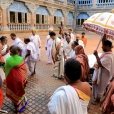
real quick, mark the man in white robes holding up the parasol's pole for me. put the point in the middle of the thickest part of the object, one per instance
(104, 70)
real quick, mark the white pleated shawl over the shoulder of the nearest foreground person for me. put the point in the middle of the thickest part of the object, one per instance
(65, 100)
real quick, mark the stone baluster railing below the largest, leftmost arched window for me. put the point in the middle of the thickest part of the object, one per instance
(19, 26)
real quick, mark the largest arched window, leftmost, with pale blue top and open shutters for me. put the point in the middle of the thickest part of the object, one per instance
(18, 13)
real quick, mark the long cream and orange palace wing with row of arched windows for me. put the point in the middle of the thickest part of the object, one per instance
(24, 15)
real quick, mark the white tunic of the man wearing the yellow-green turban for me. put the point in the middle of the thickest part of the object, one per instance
(36, 40)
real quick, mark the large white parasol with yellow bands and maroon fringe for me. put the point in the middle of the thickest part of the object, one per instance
(101, 23)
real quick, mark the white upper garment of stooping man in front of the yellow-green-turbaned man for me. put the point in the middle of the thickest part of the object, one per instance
(33, 55)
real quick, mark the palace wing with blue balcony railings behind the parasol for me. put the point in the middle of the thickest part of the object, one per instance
(86, 8)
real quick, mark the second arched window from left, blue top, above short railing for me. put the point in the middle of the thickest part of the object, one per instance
(42, 15)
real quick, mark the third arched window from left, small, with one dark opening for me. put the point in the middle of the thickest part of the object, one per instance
(58, 17)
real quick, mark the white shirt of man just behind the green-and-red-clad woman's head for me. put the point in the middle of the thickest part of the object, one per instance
(19, 43)
